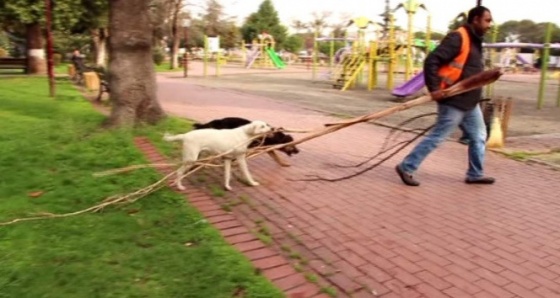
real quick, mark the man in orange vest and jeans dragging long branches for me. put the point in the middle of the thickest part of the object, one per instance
(458, 57)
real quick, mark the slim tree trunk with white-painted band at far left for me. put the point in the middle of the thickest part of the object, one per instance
(36, 62)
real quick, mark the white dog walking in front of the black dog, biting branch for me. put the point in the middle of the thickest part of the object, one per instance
(232, 143)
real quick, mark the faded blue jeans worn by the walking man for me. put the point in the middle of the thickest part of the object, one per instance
(449, 118)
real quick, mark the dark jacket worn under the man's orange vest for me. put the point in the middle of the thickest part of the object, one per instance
(447, 50)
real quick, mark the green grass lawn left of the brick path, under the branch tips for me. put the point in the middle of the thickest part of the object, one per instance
(158, 246)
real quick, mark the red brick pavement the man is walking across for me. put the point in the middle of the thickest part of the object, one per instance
(372, 236)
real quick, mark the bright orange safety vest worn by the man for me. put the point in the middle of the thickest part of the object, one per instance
(451, 73)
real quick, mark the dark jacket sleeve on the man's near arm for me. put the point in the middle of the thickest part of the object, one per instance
(447, 50)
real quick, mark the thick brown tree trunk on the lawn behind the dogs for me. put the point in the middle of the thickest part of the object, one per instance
(131, 69)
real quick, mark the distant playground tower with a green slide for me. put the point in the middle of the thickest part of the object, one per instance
(263, 54)
